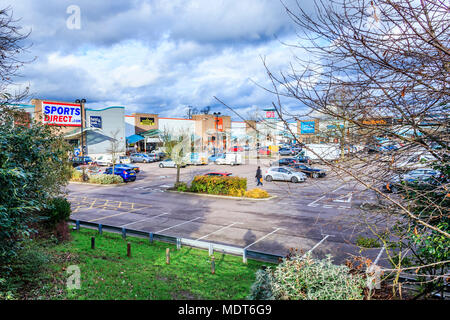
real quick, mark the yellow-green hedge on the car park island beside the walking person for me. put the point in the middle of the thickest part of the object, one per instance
(218, 185)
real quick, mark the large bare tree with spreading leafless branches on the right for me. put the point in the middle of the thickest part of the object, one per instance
(381, 69)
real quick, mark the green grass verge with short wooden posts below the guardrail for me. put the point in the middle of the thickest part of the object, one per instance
(107, 272)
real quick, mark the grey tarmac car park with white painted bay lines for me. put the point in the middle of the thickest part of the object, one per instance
(319, 213)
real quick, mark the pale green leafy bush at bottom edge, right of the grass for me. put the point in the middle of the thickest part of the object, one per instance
(308, 279)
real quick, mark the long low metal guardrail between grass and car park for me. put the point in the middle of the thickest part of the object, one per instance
(211, 246)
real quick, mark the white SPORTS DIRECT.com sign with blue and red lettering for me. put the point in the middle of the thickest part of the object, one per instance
(61, 114)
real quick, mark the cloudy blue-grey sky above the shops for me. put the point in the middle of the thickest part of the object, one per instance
(155, 55)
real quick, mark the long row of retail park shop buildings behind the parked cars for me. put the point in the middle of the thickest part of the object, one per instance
(97, 129)
